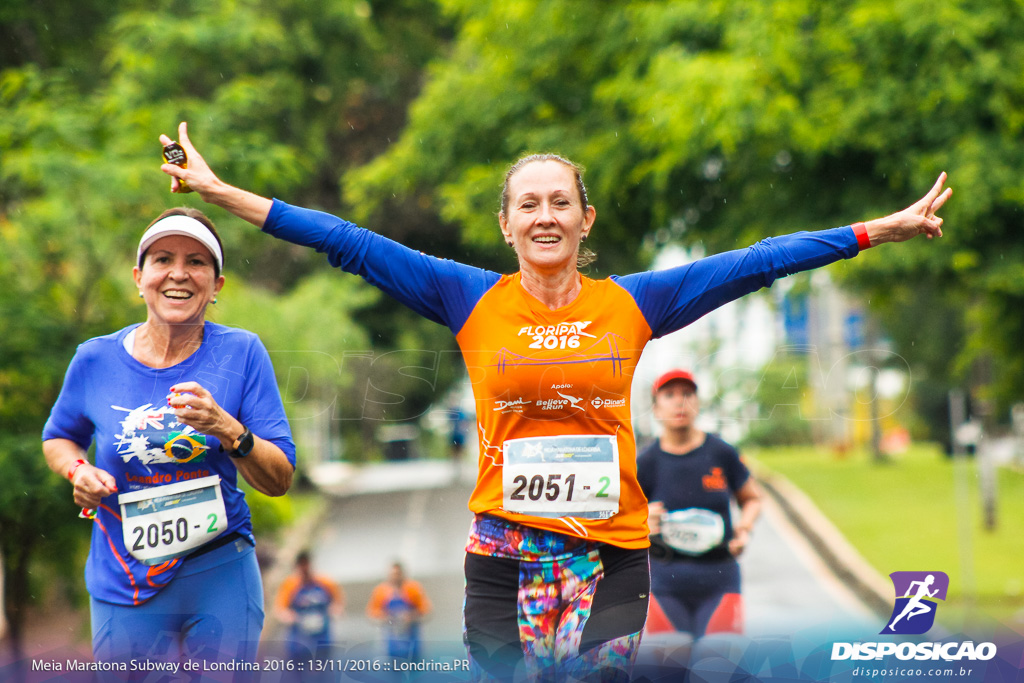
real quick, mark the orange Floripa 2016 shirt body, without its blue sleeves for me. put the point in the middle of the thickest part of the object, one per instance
(544, 373)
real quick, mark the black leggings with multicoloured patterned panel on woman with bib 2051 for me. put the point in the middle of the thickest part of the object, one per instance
(575, 616)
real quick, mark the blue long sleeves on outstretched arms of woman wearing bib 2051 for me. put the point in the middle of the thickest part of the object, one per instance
(446, 292)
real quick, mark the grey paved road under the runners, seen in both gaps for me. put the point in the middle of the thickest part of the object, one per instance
(416, 514)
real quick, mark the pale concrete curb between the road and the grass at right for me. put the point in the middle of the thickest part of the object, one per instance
(839, 556)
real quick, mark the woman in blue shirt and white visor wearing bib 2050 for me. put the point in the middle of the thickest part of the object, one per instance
(177, 407)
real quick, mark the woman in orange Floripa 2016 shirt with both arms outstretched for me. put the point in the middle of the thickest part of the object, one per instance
(557, 566)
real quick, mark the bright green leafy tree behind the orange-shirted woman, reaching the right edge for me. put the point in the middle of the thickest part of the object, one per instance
(724, 122)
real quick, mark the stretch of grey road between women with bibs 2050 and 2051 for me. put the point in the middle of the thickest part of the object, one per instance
(411, 513)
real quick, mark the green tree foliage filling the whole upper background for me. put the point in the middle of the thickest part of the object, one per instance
(700, 121)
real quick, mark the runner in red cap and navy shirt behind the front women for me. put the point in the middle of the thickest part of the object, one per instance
(691, 479)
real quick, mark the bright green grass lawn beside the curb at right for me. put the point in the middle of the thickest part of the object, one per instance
(922, 513)
